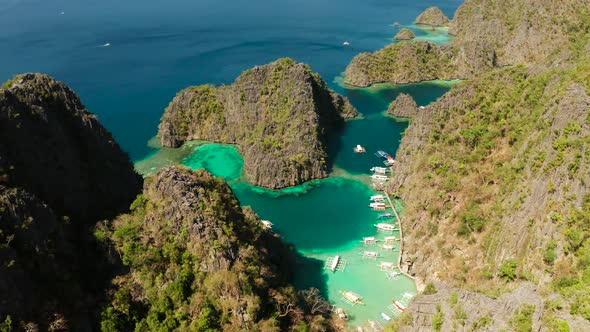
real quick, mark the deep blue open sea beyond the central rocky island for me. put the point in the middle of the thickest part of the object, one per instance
(159, 47)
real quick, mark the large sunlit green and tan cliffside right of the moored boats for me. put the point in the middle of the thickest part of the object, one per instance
(500, 166)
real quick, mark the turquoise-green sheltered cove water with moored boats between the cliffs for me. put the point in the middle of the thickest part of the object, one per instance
(327, 217)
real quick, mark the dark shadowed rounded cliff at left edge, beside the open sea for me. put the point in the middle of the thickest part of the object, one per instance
(54, 148)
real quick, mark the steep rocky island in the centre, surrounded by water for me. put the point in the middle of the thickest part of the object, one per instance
(279, 114)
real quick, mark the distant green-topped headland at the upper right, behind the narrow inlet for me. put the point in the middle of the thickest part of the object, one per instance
(488, 34)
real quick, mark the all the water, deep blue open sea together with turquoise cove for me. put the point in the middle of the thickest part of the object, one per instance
(127, 60)
